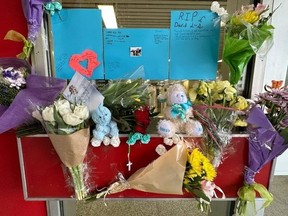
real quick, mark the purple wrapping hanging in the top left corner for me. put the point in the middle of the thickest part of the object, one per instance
(33, 12)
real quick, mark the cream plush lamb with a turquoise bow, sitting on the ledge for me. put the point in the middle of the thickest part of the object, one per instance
(178, 115)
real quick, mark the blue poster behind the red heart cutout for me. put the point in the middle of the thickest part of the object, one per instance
(74, 31)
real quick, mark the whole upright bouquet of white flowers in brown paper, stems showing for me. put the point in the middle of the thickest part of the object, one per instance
(67, 125)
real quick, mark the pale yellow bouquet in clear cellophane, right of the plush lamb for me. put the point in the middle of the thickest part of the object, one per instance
(218, 107)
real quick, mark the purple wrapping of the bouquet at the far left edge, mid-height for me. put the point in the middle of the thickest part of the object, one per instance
(39, 91)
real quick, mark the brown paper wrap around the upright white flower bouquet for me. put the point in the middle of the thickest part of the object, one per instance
(71, 148)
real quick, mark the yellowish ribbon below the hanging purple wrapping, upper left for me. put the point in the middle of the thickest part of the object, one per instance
(18, 37)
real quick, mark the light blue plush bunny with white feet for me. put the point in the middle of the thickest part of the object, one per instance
(106, 130)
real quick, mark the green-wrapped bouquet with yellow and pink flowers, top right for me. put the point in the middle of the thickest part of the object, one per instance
(247, 33)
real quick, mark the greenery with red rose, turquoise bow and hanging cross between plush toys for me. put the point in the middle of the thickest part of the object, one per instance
(128, 101)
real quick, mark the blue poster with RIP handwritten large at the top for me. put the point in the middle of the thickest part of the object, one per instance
(194, 45)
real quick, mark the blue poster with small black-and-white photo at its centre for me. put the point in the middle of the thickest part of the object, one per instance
(125, 50)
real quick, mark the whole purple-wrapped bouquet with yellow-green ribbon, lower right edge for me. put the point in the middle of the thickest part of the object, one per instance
(268, 138)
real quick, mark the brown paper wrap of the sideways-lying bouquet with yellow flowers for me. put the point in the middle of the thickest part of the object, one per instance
(164, 175)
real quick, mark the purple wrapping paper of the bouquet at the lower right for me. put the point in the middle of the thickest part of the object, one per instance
(265, 143)
